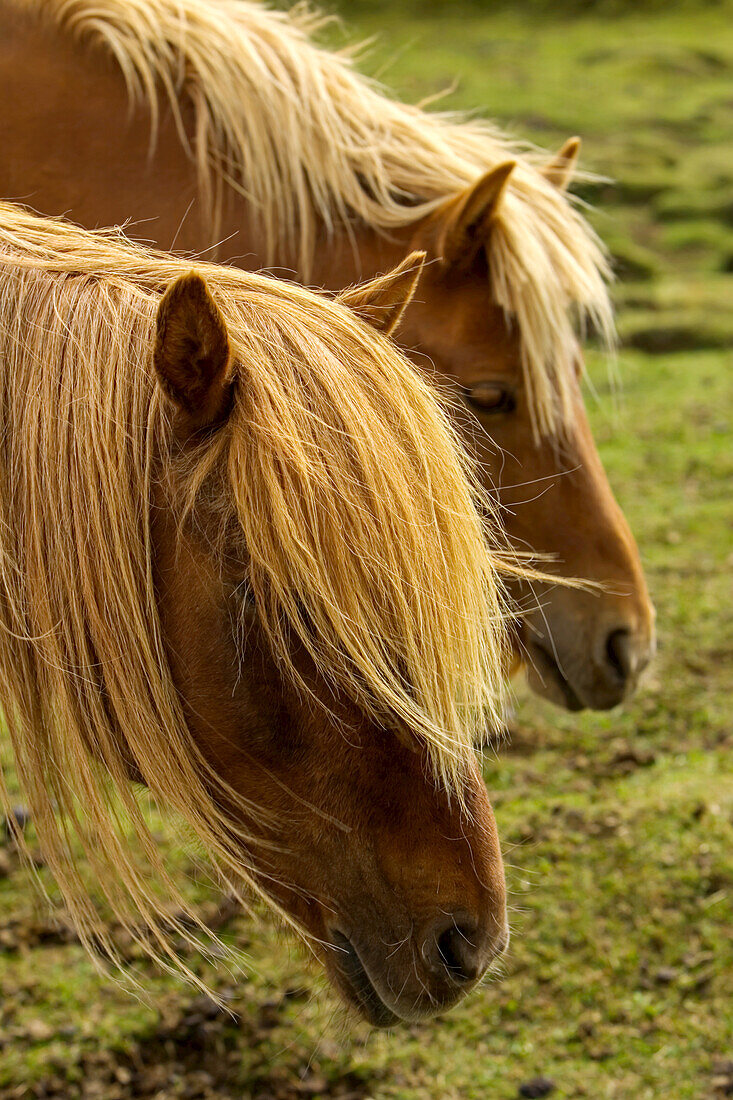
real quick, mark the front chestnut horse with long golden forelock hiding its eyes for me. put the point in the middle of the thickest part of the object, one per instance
(245, 570)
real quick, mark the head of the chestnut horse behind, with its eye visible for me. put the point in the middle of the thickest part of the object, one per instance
(494, 315)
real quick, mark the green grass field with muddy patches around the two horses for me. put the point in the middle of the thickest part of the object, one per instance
(619, 828)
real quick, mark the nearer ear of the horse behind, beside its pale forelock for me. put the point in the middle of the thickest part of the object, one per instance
(465, 224)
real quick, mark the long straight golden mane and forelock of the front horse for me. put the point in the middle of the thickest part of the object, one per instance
(355, 505)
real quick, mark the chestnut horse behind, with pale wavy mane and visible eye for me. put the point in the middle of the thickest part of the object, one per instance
(221, 124)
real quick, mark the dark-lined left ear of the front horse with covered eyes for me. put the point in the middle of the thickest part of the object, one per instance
(192, 353)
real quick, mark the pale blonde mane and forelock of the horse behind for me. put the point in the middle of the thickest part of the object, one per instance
(312, 144)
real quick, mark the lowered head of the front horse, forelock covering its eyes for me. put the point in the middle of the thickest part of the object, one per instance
(393, 871)
